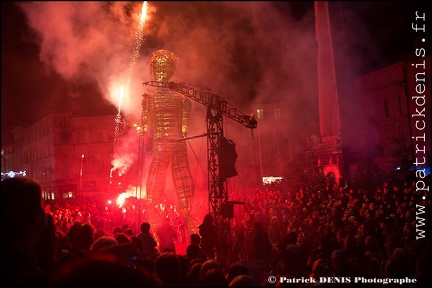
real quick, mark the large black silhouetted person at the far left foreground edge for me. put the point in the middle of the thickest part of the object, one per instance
(24, 221)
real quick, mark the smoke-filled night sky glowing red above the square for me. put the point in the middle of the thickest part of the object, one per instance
(73, 56)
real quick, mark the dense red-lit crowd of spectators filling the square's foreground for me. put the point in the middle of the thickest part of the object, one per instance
(303, 238)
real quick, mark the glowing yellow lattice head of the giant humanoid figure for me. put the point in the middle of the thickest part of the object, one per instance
(162, 65)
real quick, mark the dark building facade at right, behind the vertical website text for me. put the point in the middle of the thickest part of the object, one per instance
(396, 105)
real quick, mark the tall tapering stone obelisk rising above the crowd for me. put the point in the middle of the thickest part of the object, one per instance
(339, 114)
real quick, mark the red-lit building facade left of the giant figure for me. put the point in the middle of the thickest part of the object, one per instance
(70, 156)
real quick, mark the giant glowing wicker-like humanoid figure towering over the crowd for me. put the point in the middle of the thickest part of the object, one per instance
(168, 113)
